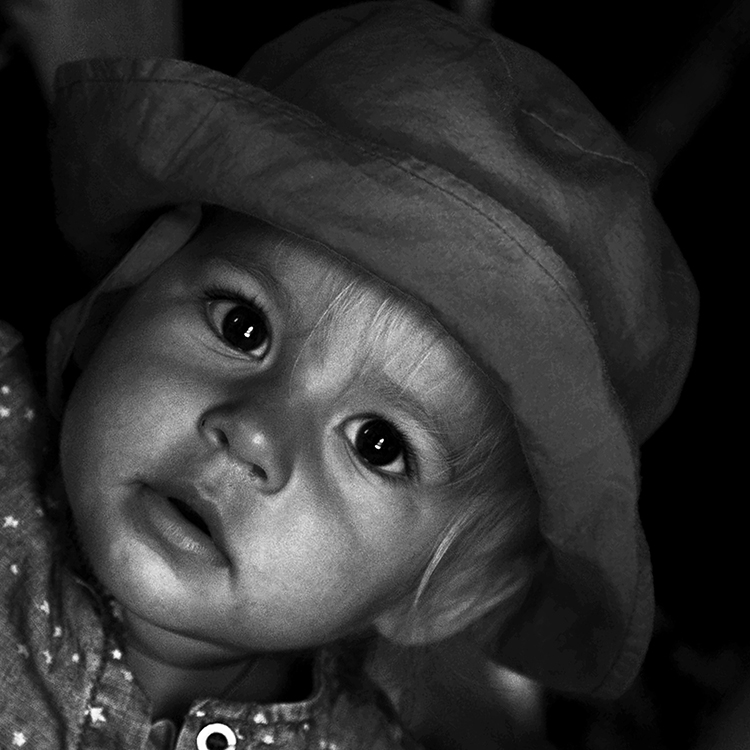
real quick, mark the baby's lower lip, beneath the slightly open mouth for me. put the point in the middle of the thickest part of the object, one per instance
(156, 515)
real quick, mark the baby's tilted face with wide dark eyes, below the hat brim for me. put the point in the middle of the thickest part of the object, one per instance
(252, 464)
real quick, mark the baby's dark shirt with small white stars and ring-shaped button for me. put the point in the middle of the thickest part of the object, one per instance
(63, 679)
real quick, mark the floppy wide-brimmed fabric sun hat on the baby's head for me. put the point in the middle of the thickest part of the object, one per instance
(470, 173)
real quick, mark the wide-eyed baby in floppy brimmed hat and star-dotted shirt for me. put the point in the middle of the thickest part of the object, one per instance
(387, 384)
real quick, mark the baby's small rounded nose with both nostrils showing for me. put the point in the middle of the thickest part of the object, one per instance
(260, 439)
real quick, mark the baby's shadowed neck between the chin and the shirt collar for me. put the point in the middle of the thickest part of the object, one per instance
(174, 671)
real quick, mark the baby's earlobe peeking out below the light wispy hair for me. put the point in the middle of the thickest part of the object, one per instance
(409, 624)
